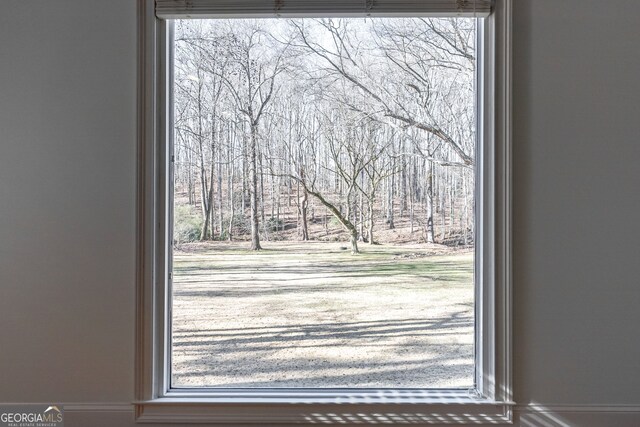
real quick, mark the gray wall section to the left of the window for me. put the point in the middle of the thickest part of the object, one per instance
(67, 200)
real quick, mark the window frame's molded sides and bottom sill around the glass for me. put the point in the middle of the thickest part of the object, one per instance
(491, 400)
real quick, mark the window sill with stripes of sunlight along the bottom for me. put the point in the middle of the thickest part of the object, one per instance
(387, 407)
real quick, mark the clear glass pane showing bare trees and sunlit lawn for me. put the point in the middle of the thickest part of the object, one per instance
(323, 203)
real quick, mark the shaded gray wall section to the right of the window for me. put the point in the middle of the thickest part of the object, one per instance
(576, 201)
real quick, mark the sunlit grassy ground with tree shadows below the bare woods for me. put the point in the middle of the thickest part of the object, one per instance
(310, 314)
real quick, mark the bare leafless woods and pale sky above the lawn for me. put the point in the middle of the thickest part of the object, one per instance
(287, 125)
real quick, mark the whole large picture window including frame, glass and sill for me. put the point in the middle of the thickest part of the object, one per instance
(324, 212)
